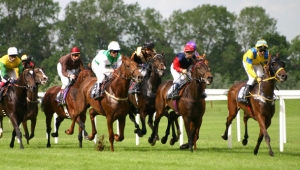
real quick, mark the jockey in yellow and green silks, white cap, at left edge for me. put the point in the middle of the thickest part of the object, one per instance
(8, 63)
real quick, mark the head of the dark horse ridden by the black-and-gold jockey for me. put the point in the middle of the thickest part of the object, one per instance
(157, 64)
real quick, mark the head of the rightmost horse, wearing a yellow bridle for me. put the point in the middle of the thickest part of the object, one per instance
(275, 67)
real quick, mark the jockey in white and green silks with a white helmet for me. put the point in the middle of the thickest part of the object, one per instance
(104, 63)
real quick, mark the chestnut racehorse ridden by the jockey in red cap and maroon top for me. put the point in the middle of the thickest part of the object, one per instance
(49, 106)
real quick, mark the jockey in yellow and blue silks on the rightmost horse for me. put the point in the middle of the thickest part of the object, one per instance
(253, 61)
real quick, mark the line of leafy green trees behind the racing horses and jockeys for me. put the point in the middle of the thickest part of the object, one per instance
(34, 27)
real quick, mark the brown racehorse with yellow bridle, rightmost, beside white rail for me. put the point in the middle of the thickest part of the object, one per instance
(261, 102)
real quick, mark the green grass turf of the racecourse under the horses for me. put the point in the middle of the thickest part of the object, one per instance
(212, 152)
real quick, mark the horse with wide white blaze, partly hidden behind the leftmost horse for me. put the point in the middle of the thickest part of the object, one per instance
(32, 103)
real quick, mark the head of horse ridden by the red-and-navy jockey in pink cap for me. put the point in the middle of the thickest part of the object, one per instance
(201, 72)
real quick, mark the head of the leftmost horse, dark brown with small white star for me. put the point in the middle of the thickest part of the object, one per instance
(28, 79)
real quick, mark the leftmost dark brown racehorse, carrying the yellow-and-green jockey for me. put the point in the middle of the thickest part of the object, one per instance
(14, 103)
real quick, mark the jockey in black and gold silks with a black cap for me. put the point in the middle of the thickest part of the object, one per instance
(141, 56)
